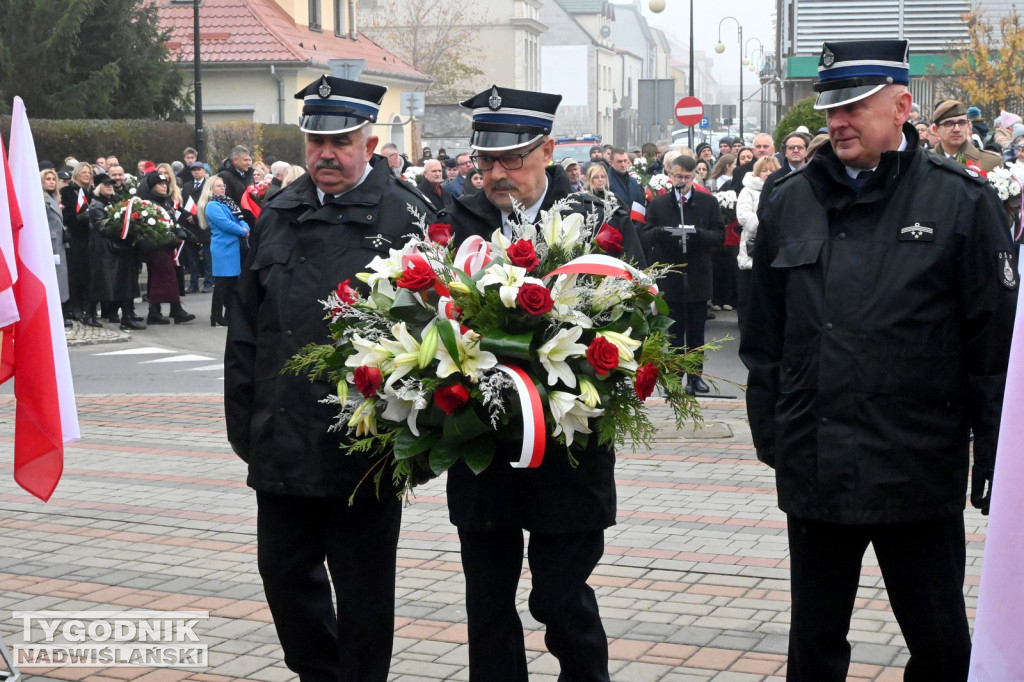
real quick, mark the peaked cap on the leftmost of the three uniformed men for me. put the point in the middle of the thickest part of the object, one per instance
(332, 106)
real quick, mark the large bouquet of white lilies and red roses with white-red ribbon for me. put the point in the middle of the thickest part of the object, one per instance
(544, 333)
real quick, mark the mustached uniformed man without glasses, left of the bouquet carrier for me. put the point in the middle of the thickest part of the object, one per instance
(315, 234)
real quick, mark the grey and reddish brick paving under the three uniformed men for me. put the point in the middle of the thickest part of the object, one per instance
(153, 513)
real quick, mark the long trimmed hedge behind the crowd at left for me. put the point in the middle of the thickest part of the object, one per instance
(132, 141)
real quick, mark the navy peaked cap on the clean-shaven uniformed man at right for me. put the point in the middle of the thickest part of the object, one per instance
(854, 70)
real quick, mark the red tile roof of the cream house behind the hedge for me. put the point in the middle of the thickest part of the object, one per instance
(260, 31)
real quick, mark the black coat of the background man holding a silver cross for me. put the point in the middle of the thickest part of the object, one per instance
(703, 212)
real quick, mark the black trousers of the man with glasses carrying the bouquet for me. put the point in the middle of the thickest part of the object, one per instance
(562, 601)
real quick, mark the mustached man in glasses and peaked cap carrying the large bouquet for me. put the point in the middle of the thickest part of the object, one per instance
(565, 509)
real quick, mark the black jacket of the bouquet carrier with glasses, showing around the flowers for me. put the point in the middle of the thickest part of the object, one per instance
(554, 497)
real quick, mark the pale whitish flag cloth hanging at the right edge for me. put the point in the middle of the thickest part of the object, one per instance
(999, 638)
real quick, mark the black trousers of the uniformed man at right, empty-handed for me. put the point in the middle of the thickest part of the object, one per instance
(923, 566)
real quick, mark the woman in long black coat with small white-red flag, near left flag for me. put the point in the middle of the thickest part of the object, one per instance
(75, 199)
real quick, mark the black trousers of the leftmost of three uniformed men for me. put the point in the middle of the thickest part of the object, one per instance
(295, 536)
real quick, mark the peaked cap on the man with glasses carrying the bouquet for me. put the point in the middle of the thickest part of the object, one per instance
(505, 119)
